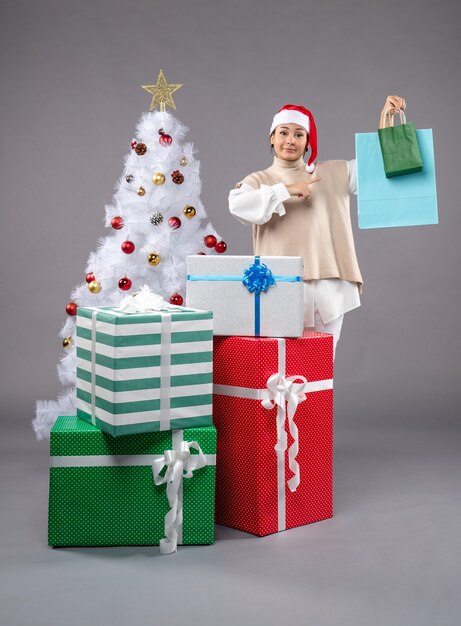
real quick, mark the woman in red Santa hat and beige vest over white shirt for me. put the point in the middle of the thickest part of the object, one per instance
(303, 210)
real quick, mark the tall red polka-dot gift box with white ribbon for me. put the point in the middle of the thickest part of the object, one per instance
(273, 411)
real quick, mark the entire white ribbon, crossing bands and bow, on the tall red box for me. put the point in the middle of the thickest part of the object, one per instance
(286, 394)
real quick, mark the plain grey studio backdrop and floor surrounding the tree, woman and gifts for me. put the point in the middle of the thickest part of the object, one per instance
(70, 101)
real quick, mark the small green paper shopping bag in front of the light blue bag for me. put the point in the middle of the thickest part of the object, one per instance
(399, 148)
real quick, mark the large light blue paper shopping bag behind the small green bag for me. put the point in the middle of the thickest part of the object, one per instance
(409, 200)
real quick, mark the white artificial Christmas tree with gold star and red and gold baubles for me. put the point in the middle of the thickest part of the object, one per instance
(155, 221)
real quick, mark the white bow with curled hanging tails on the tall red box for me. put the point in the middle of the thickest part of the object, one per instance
(286, 394)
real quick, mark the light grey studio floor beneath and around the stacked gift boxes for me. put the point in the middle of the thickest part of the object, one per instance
(389, 557)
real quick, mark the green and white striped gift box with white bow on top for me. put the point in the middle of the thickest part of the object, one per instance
(144, 372)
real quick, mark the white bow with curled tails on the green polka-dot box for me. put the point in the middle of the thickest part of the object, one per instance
(179, 464)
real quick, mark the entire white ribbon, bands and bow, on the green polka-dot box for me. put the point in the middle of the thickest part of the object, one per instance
(180, 463)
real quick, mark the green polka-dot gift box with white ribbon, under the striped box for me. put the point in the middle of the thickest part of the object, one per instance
(134, 490)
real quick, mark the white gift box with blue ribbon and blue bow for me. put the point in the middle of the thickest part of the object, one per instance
(255, 296)
